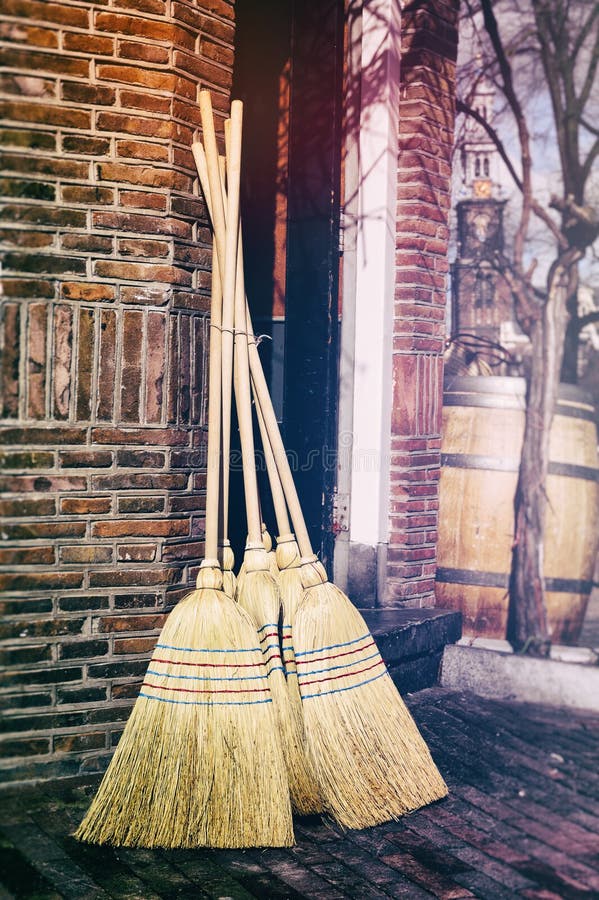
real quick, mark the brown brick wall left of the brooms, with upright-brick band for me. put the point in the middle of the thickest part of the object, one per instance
(105, 293)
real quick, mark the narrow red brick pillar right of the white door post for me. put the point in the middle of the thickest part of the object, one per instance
(429, 39)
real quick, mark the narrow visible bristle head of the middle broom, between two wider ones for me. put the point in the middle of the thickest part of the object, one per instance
(258, 594)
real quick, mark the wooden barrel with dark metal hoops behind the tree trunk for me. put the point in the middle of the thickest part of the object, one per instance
(483, 426)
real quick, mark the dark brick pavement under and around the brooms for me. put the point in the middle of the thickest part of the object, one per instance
(522, 820)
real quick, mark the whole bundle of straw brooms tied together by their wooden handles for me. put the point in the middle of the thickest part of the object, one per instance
(240, 718)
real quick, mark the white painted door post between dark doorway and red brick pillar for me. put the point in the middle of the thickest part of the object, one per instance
(368, 278)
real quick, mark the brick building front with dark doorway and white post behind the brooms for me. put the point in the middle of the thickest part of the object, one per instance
(106, 273)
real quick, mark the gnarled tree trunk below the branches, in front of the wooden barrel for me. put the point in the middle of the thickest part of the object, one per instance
(527, 625)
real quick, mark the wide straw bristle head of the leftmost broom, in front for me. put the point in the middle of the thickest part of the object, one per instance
(199, 763)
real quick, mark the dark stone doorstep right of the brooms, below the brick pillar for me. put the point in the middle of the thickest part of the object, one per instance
(411, 642)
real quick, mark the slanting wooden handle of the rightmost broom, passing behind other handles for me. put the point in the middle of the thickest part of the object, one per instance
(259, 382)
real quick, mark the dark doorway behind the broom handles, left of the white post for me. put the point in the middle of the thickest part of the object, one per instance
(289, 73)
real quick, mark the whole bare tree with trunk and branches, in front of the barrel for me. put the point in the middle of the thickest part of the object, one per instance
(555, 43)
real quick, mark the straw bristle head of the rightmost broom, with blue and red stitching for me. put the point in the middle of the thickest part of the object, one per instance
(371, 762)
